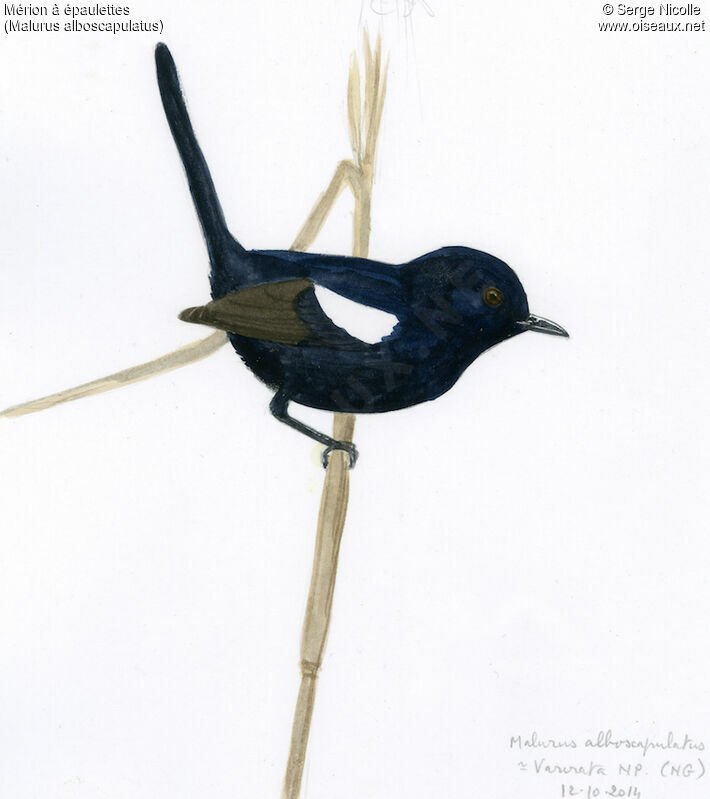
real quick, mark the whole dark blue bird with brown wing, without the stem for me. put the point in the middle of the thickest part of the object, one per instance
(450, 306)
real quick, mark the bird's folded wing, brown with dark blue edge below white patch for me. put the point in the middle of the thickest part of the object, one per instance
(287, 312)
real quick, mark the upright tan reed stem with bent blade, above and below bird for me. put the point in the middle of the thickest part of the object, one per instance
(334, 499)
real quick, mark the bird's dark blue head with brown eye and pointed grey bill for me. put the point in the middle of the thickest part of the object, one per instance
(472, 295)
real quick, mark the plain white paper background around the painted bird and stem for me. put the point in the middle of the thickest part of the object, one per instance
(527, 553)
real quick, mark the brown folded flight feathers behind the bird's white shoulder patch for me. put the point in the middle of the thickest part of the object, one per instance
(266, 312)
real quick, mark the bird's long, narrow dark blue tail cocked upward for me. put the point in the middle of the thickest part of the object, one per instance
(221, 245)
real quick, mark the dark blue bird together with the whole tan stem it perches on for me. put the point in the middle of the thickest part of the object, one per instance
(281, 312)
